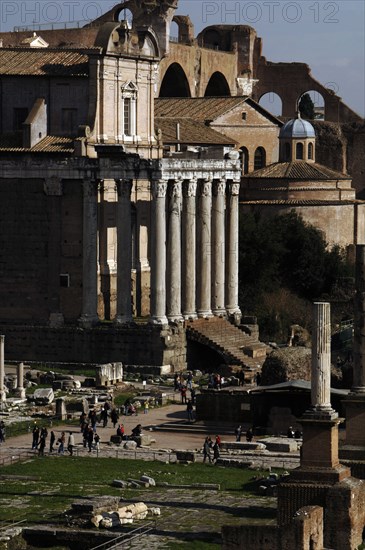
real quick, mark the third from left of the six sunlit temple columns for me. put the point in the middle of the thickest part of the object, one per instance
(189, 250)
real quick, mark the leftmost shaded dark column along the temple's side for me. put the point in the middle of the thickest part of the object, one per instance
(89, 315)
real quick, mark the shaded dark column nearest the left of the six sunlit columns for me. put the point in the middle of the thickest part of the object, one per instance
(124, 253)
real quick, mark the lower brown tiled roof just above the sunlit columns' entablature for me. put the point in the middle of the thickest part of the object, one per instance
(192, 132)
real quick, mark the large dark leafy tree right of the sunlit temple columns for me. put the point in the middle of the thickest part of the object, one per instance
(284, 264)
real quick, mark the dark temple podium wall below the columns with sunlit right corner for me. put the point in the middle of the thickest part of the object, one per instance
(145, 345)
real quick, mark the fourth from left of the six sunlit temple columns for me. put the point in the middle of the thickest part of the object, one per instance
(204, 255)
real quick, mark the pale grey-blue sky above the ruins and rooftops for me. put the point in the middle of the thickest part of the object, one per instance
(328, 36)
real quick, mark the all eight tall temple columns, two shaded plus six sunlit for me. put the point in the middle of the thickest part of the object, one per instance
(194, 250)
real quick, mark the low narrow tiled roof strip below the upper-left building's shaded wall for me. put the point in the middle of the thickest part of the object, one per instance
(50, 144)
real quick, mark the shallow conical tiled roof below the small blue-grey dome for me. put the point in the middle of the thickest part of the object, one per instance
(299, 169)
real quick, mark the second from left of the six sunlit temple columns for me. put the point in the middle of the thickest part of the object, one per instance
(174, 253)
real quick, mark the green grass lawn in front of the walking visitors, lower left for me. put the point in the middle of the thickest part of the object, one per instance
(43, 487)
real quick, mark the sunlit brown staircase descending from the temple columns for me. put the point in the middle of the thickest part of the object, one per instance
(235, 346)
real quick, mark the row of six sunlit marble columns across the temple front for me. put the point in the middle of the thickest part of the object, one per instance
(195, 249)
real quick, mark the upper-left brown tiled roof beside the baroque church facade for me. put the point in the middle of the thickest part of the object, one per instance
(24, 61)
